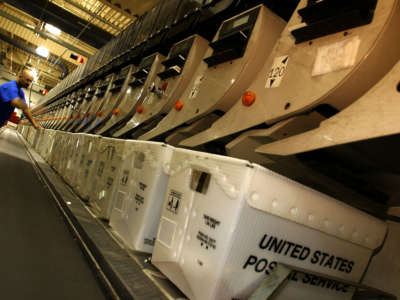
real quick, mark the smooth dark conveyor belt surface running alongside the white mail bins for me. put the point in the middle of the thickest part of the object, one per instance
(39, 257)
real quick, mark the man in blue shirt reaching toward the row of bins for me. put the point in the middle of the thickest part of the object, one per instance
(12, 96)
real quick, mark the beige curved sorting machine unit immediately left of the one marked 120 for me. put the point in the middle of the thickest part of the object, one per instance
(234, 57)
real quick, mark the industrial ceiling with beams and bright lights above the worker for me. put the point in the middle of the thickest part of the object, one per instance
(85, 27)
